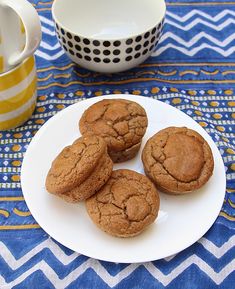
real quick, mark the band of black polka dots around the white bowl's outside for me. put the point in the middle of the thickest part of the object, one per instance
(109, 52)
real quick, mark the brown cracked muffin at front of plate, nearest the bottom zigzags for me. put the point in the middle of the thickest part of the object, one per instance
(125, 205)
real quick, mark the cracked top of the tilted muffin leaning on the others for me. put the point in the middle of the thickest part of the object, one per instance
(75, 163)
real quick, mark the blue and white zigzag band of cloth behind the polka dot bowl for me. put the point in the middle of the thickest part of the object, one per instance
(180, 25)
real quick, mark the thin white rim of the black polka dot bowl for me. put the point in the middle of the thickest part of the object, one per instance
(161, 19)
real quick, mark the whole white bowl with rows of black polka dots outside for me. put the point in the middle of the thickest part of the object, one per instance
(107, 35)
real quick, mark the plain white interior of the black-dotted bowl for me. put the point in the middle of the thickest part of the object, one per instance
(108, 19)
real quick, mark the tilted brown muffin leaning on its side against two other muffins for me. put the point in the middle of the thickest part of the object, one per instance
(80, 169)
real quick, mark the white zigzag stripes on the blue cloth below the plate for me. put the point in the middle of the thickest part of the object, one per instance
(99, 269)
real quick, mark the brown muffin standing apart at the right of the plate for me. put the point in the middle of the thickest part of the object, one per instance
(178, 160)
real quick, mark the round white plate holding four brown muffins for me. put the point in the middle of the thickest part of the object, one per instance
(182, 219)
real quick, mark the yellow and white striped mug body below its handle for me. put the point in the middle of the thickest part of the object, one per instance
(18, 93)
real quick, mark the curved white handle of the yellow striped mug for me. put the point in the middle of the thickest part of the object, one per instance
(31, 22)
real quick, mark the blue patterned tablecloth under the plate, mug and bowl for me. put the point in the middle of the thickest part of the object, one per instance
(193, 69)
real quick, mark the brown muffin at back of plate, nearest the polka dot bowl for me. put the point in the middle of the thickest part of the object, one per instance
(122, 123)
